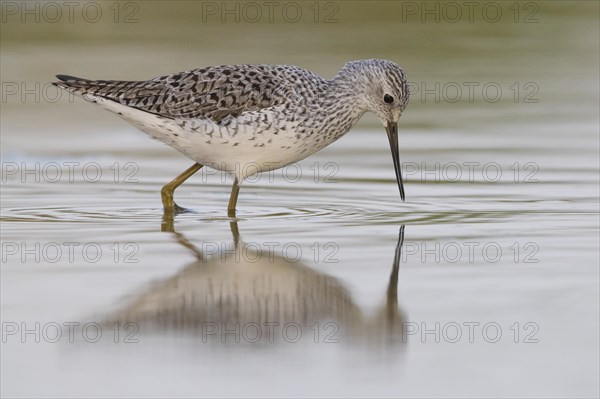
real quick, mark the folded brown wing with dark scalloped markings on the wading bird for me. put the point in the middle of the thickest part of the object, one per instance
(214, 92)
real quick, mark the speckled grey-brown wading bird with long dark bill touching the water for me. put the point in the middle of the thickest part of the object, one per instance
(268, 116)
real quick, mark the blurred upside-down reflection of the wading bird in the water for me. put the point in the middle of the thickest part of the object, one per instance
(241, 295)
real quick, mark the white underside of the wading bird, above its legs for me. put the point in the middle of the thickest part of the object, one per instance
(242, 152)
